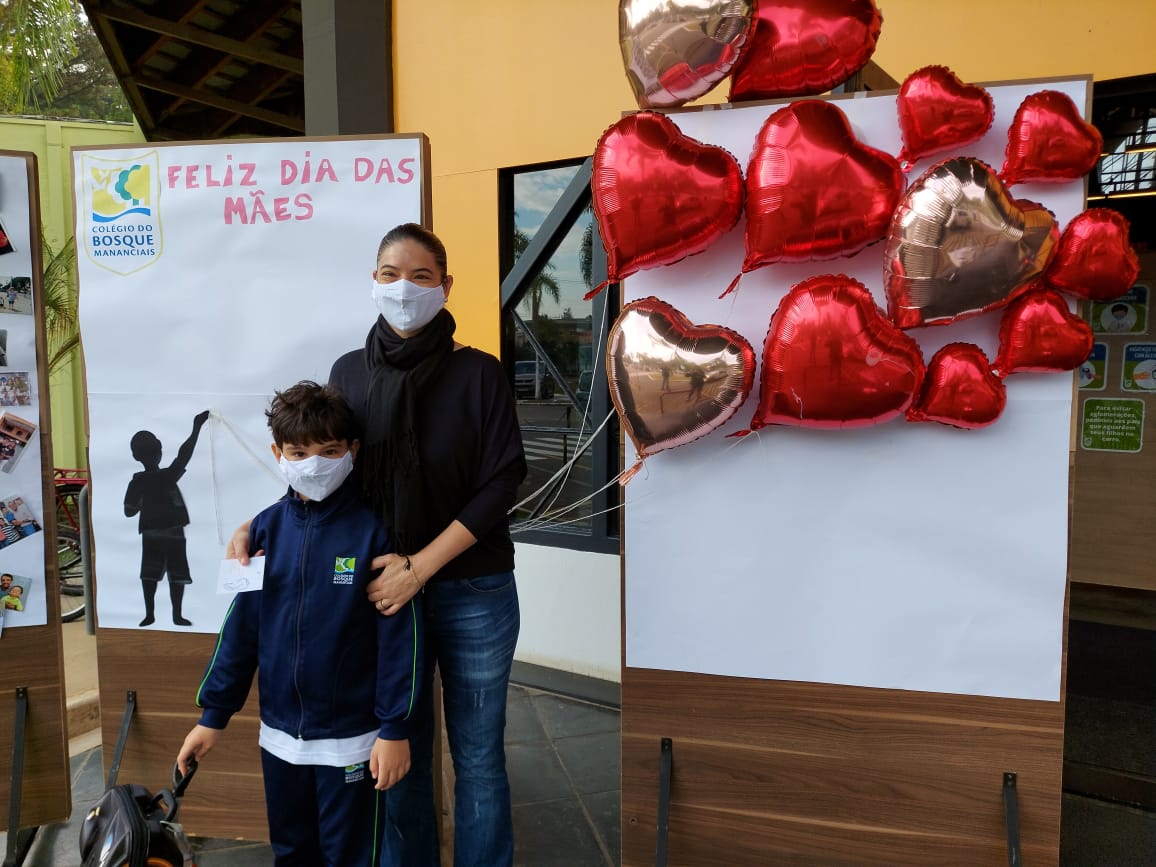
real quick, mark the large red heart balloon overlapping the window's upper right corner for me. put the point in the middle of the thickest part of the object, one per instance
(661, 196)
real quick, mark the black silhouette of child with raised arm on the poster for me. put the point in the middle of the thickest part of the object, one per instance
(154, 495)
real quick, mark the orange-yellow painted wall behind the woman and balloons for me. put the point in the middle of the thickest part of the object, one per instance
(513, 83)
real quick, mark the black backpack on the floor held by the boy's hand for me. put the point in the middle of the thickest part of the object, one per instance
(131, 827)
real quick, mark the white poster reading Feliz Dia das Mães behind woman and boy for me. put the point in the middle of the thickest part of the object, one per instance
(210, 277)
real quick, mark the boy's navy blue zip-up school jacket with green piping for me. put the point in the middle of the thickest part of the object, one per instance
(329, 665)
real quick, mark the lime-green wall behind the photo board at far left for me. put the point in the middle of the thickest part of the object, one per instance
(51, 140)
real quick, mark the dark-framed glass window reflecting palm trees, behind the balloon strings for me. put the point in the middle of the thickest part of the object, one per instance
(553, 345)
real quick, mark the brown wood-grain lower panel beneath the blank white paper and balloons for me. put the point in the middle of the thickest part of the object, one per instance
(821, 774)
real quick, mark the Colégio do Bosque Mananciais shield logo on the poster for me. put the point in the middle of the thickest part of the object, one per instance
(122, 224)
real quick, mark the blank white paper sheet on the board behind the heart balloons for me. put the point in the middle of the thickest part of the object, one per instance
(905, 557)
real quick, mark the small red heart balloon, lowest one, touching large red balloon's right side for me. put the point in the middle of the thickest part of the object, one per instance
(960, 390)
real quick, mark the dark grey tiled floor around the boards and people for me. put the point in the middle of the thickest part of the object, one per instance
(564, 762)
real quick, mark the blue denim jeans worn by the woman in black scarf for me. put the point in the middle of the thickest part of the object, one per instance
(471, 633)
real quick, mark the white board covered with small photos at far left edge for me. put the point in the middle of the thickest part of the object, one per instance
(21, 490)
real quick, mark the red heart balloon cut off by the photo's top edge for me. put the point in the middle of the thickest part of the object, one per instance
(802, 48)
